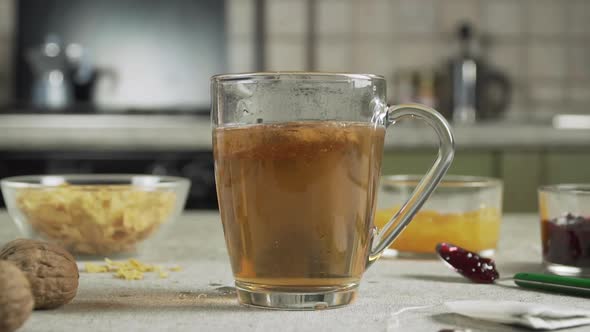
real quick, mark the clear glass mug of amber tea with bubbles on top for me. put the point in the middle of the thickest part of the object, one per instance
(297, 164)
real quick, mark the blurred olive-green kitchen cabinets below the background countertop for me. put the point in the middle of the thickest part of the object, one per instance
(522, 171)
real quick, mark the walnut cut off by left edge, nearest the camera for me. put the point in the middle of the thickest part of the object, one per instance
(16, 299)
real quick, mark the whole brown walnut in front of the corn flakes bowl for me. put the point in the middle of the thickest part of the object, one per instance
(51, 270)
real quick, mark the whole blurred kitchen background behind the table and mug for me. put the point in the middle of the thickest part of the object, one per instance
(123, 86)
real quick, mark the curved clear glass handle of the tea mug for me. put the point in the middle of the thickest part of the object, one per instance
(446, 151)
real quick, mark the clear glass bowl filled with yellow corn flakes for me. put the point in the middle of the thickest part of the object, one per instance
(96, 214)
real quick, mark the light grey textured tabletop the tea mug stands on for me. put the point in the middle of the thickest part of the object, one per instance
(192, 299)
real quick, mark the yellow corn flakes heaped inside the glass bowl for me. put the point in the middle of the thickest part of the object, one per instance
(96, 219)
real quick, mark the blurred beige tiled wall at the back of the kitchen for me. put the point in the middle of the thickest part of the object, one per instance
(541, 44)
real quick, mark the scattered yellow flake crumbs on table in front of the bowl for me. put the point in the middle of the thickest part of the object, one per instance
(131, 269)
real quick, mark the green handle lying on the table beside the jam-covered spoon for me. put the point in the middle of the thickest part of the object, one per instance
(554, 283)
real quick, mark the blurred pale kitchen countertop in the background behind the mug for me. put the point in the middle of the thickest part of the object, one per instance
(124, 132)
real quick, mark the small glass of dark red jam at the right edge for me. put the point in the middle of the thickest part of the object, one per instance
(564, 210)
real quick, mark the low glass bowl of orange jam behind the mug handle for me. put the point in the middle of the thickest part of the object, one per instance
(463, 210)
